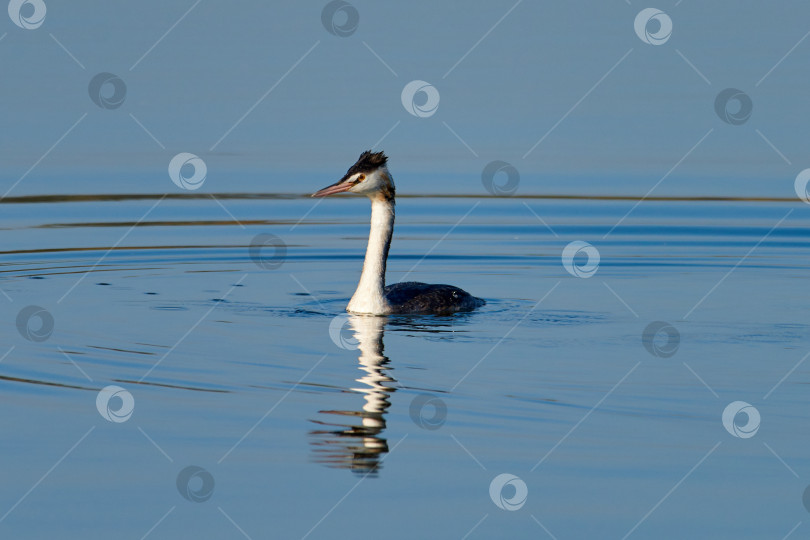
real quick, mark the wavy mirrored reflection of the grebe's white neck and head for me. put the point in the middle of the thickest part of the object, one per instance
(352, 439)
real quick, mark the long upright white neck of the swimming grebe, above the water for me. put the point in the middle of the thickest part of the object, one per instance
(369, 296)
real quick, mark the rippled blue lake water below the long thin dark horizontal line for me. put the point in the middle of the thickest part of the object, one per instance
(399, 427)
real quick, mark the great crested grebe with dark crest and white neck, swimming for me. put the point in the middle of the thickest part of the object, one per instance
(370, 177)
